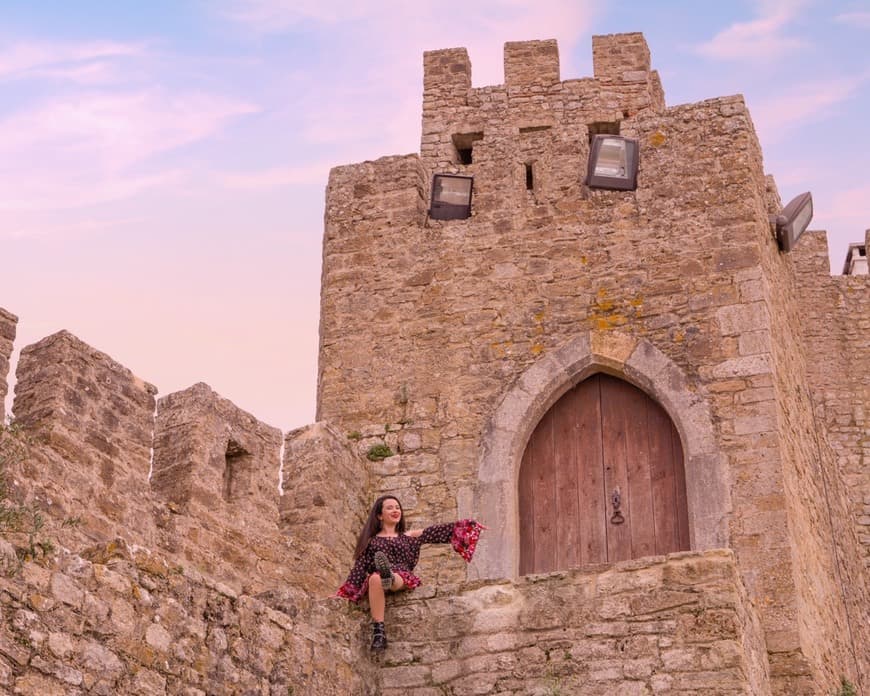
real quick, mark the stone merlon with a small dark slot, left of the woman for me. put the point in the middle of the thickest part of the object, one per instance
(216, 467)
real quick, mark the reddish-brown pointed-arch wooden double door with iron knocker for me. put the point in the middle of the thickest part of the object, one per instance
(601, 480)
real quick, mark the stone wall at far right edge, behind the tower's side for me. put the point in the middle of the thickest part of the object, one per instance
(838, 364)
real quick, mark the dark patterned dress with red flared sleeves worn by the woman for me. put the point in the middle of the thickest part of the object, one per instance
(403, 552)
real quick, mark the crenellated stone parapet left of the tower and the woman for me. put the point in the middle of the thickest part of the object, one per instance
(190, 474)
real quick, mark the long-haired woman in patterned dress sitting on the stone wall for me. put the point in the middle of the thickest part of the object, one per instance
(386, 555)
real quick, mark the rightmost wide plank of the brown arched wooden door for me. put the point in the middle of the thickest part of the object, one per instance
(664, 485)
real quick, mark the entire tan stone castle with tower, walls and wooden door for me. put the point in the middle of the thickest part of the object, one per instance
(659, 411)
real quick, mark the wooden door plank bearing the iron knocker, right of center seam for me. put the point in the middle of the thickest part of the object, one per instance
(614, 428)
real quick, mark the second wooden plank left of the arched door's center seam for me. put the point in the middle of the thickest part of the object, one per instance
(565, 452)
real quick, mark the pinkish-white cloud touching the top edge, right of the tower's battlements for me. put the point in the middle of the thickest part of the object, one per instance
(764, 37)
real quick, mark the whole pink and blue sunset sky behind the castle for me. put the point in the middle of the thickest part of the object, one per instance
(163, 165)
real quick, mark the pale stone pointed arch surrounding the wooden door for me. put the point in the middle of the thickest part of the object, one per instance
(495, 496)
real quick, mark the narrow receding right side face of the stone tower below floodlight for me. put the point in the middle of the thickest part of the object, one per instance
(828, 622)
